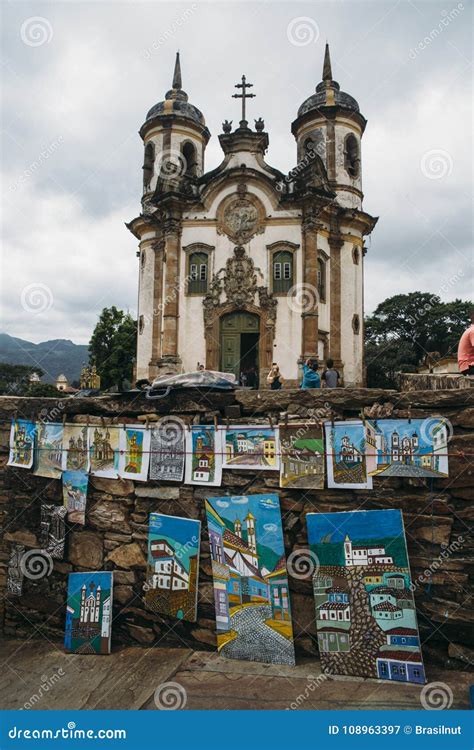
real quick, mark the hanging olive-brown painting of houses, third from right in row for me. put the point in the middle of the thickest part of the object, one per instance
(302, 457)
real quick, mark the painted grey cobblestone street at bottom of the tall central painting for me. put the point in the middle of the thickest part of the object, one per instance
(255, 640)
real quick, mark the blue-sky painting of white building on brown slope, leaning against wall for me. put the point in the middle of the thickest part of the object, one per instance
(173, 566)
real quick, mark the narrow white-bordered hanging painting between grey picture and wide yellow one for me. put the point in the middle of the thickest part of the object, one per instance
(204, 449)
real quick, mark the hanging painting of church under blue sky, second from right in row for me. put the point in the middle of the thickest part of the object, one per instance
(346, 455)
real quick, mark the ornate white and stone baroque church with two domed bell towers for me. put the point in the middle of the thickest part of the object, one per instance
(243, 265)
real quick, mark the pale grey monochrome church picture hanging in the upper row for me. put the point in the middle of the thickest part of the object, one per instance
(167, 451)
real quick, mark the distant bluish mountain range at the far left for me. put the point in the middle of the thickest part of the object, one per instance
(55, 357)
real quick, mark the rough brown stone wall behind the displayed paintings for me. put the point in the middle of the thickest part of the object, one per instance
(436, 513)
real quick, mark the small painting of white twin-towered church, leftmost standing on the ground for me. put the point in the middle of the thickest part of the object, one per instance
(89, 613)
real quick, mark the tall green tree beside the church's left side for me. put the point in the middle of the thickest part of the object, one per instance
(112, 347)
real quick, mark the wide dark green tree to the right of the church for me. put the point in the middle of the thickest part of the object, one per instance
(404, 328)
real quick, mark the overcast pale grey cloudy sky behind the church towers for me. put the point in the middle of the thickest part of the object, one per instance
(79, 77)
